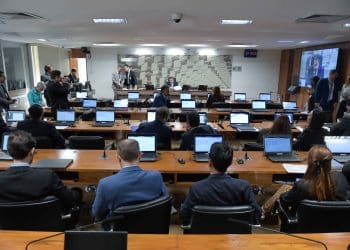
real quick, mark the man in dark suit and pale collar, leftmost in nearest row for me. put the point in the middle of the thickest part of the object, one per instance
(20, 182)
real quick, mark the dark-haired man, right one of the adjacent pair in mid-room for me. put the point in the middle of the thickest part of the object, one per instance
(193, 127)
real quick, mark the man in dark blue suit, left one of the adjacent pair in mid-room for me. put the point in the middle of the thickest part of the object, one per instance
(158, 127)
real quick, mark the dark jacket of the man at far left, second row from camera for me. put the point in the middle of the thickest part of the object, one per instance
(41, 128)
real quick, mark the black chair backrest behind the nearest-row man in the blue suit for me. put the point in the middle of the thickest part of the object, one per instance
(152, 217)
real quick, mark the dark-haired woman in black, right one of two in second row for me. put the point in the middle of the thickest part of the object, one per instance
(314, 134)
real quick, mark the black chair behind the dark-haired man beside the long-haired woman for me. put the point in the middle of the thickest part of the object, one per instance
(216, 220)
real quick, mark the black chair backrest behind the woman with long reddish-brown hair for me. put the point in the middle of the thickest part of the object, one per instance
(323, 216)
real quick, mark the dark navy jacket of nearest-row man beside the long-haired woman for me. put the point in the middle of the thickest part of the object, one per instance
(218, 190)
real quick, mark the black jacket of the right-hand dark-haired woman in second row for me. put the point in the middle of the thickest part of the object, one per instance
(310, 137)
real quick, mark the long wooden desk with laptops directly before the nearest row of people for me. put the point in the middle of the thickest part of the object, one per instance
(90, 166)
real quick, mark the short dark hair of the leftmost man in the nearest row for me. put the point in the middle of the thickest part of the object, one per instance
(19, 144)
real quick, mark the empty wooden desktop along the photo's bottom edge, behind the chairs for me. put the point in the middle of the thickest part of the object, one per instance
(17, 240)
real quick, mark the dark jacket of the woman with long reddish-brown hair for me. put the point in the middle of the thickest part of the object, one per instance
(299, 192)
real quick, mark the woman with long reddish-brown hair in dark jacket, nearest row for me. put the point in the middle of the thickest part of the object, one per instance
(318, 183)
